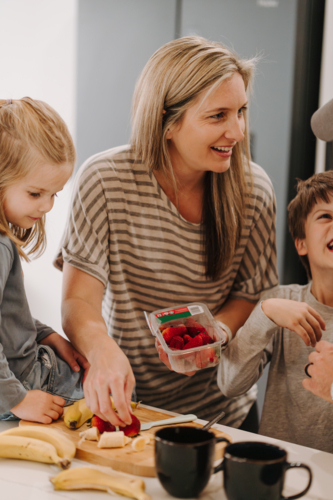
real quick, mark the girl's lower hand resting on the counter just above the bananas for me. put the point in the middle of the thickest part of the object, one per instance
(39, 406)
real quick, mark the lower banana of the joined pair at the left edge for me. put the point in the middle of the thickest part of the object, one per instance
(26, 448)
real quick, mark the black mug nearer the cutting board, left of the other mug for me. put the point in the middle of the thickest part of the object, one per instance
(184, 459)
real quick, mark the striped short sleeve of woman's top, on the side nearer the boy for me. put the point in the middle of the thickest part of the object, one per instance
(258, 269)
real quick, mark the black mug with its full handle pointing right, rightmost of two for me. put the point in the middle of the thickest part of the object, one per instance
(256, 471)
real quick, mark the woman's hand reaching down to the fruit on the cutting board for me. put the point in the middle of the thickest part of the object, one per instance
(110, 373)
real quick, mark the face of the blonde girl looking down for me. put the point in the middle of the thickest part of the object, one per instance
(29, 199)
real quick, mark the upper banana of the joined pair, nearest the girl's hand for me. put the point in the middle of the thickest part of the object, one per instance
(64, 446)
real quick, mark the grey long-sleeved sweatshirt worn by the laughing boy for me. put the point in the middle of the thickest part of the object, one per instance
(290, 412)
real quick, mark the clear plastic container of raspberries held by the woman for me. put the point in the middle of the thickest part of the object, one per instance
(188, 359)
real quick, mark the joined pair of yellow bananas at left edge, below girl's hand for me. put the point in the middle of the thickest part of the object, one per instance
(37, 443)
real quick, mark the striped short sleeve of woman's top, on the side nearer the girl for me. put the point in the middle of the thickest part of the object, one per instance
(85, 244)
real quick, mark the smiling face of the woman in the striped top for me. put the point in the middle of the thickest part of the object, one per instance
(204, 139)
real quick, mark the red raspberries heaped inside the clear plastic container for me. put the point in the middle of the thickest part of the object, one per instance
(182, 337)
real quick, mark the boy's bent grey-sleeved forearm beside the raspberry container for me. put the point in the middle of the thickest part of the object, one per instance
(245, 358)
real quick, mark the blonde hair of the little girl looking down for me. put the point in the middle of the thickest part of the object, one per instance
(29, 129)
